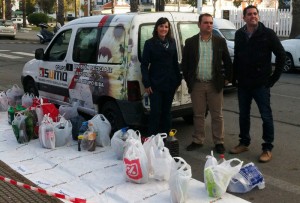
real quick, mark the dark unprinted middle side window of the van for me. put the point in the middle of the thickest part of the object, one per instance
(85, 45)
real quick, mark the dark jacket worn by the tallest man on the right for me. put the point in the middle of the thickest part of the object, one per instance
(252, 57)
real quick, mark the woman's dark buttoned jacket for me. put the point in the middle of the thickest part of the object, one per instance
(159, 66)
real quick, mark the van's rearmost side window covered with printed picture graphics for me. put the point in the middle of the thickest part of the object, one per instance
(112, 45)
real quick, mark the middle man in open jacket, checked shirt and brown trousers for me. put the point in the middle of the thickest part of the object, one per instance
(206, 67)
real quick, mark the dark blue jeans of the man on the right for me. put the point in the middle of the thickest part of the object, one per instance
(261, 96)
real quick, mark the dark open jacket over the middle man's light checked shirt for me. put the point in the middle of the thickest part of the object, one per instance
(221, 64)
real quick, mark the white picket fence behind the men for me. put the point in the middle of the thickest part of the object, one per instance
(278, 20)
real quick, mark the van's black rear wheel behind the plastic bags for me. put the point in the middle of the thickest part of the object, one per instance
(112, 112)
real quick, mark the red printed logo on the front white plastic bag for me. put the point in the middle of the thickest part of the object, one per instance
(133, 168)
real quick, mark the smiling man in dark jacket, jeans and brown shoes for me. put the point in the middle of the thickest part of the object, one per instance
(254, 44)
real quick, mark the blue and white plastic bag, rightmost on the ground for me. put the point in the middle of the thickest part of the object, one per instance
(246, 179)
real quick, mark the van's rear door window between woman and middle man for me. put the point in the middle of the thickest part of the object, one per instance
(187, 30)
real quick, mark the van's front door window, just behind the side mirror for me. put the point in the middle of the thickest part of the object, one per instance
(59, 47)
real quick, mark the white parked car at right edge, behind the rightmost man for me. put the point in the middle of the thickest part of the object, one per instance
(292, 49)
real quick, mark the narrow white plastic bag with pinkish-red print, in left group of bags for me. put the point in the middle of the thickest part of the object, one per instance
(47, 133)
